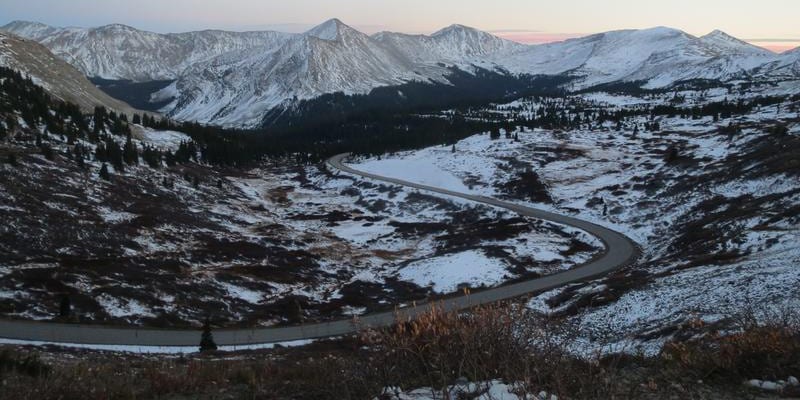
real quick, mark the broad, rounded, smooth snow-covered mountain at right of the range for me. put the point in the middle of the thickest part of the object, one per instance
(659, 56)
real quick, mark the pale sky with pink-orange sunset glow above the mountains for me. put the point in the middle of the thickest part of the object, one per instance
(769, 23)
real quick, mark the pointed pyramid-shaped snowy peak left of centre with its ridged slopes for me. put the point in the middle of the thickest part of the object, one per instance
(238, 88)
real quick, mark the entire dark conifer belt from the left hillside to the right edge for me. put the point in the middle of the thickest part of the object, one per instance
(370, 124)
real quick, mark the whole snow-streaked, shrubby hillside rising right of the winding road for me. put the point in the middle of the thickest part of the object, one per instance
(707, 186)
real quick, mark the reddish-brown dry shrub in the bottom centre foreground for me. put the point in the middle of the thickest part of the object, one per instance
(498, 341)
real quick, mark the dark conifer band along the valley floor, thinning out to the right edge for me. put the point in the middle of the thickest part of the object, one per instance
(372, 131)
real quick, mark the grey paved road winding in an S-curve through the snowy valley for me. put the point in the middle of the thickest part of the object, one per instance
(619, 251)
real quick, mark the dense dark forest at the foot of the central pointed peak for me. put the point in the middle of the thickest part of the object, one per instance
(385, 120)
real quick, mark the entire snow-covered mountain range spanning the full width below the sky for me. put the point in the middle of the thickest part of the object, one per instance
(235, 78)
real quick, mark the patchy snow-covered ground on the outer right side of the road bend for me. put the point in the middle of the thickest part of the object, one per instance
(622, 181)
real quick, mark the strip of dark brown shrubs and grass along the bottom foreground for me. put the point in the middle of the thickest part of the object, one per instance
(500, 342)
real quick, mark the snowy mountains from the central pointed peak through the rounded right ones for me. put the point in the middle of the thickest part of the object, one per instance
(240, 87)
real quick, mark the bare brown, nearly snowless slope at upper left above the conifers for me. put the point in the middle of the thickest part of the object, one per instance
(58, 78)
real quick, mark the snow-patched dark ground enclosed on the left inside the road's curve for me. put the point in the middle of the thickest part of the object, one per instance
(178, 241)
